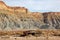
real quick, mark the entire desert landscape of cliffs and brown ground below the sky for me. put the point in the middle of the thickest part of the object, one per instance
(18, 23)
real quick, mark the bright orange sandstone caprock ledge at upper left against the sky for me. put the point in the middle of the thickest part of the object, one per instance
(3, 6)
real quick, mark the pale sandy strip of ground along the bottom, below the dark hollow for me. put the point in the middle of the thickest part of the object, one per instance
(30, 38)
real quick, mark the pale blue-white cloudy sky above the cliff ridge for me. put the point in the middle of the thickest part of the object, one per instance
(36, 5)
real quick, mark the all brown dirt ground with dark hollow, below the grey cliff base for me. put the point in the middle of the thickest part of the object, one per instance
(30, 35)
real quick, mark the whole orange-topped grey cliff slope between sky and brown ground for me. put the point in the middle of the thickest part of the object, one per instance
(16, 18)
